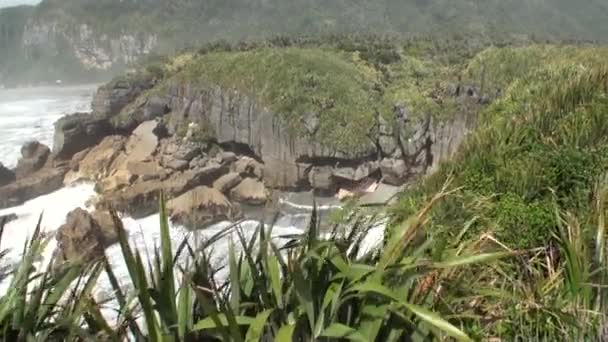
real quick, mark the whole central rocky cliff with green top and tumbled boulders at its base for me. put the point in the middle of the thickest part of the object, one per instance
(219, 129)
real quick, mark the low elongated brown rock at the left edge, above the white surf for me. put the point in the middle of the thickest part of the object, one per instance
(39, 183)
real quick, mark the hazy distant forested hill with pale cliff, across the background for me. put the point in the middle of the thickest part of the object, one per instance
(85, 37)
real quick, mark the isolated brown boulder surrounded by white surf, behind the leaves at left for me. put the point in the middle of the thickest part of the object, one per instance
(84, 237)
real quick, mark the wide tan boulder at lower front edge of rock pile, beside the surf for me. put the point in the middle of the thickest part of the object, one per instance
(201, 207)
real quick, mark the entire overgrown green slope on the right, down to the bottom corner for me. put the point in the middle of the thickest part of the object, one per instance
(542, 146)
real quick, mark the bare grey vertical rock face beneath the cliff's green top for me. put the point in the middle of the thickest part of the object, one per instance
(419, 140)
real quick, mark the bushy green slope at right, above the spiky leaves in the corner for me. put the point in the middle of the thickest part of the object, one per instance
(544, 143)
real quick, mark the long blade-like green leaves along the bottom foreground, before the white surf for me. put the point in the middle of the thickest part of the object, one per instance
(310, 288)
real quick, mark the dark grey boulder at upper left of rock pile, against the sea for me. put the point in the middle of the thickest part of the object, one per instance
(77, 132)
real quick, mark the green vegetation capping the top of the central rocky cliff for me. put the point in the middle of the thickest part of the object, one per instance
(342, 83)
